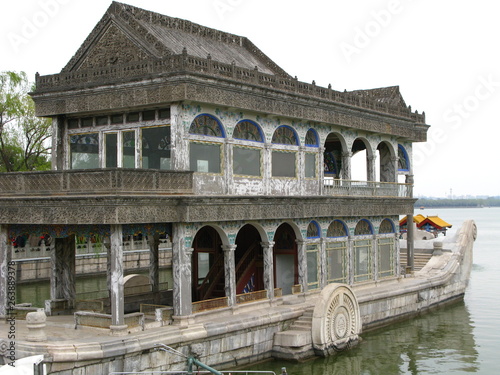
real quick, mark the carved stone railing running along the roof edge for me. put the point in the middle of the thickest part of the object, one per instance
(188, 63)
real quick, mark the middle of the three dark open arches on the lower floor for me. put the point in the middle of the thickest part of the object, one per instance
(249, 260)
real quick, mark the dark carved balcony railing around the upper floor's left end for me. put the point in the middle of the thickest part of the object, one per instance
(96, 181)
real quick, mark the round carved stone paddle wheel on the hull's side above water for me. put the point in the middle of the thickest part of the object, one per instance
(336, 320)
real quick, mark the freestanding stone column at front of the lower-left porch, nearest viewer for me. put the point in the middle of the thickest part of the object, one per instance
(118, 325)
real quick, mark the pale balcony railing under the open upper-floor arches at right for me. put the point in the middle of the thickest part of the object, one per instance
(338, 187)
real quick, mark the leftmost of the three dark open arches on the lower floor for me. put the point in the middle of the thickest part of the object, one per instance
(207, 265)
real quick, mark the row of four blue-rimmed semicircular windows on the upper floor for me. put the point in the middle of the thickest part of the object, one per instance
(248, 130)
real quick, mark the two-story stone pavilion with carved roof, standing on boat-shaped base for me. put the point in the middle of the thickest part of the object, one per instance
(161, 125)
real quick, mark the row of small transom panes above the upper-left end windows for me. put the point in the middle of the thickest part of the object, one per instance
(119, 118)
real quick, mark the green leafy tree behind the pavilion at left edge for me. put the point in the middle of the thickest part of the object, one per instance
(24, 138)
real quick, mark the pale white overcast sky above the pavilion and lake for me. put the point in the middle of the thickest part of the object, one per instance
(444, 55)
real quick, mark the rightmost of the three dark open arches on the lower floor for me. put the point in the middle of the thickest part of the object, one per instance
(285, 259)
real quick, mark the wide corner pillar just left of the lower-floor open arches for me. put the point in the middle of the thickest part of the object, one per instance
(181, 267)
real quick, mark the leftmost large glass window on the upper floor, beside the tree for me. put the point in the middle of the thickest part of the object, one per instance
(84, 151)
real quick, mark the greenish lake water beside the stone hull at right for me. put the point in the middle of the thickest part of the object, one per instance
(460, 339)
